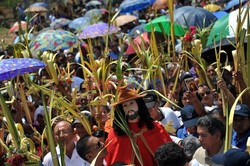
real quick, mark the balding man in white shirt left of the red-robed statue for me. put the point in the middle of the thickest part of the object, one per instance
(63, 132)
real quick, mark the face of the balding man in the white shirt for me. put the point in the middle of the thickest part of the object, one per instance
(63, 132)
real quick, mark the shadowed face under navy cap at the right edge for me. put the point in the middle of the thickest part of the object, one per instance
(241, 124)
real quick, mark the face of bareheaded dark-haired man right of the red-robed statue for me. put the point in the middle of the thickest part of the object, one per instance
(206, 139)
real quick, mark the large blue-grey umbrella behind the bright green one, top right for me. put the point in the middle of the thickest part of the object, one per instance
(193, 16)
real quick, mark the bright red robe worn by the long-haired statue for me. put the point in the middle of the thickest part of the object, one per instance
(120, 149)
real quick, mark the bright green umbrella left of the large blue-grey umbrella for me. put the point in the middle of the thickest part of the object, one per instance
(162, 22)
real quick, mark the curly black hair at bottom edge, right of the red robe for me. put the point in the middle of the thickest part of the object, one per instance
(170, 154)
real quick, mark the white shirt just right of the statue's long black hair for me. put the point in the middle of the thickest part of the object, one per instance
(169, 115)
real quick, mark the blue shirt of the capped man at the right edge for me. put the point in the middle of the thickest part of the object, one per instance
(240, 143)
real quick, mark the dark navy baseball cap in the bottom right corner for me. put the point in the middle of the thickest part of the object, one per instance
(232, 157)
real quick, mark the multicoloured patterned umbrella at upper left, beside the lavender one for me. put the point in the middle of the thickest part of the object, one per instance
(54, 40)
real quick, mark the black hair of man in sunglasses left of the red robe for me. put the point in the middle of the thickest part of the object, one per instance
(82, 147)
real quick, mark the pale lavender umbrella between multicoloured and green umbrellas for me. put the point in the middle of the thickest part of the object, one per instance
(98, 30)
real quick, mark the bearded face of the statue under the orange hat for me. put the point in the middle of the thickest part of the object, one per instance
(131, 110)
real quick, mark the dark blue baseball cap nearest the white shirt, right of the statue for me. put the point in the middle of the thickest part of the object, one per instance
(189, 116)
